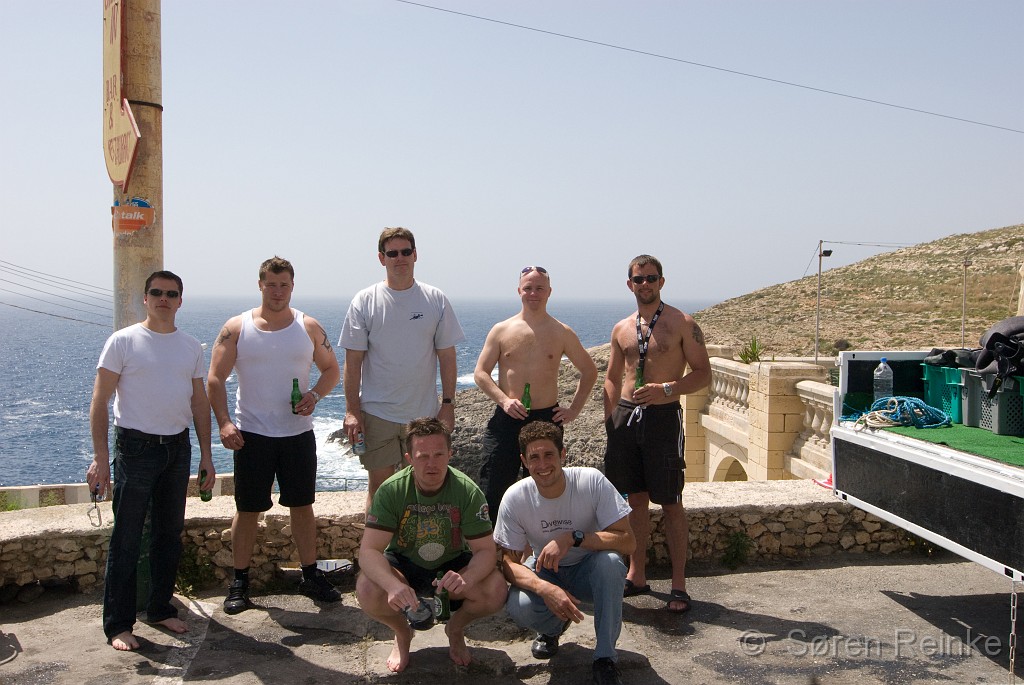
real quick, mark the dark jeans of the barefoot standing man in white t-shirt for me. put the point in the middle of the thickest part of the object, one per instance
(145, 474)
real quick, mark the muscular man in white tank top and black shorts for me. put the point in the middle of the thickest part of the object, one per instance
(272, 439)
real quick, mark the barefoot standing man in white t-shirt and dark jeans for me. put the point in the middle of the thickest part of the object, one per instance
(155, 374)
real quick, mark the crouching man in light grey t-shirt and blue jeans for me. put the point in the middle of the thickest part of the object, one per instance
(575, 528)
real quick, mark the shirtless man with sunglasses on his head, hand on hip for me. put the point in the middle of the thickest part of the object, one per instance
(527, 349)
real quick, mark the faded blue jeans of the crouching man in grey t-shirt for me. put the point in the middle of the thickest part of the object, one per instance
(600, 579)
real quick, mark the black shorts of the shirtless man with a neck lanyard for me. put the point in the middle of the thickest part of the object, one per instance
(646, 455)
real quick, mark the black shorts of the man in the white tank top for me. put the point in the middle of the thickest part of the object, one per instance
(292, 460)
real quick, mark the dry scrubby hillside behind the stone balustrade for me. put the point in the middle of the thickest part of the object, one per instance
(908, 299)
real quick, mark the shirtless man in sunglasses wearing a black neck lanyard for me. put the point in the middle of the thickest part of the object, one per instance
(651, 350)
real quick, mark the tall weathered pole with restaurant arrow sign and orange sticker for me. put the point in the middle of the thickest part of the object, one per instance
(134, 146)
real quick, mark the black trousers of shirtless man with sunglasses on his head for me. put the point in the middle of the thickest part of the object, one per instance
(500, 448)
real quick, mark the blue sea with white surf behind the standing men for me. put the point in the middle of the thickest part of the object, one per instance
(50, 365)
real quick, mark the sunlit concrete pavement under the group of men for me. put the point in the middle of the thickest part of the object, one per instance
(869, 620)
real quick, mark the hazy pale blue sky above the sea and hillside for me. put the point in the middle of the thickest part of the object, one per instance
(303, 130)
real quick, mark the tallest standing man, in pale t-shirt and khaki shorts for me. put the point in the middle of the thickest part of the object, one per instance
(396, 335)
